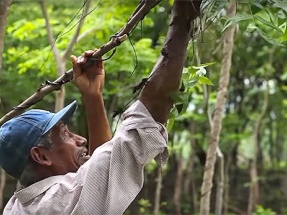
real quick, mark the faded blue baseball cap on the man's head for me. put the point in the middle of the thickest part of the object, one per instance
(20, 134)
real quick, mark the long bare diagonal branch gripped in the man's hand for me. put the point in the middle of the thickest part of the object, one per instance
(115, 41)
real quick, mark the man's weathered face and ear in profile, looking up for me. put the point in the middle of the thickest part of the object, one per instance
(68, 150)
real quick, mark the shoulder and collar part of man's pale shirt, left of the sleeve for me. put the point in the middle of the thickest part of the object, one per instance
(53, 192)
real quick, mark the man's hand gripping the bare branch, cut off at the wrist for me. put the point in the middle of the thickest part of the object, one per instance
(90, 81)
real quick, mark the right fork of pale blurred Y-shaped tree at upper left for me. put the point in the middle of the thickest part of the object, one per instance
(77, 32)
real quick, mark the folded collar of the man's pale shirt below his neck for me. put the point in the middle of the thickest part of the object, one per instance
(26, 194)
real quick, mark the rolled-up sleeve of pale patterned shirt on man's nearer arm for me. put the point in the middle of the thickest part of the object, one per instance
(114, 175)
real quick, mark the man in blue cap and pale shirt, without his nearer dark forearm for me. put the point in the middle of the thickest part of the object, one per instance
(53, 165)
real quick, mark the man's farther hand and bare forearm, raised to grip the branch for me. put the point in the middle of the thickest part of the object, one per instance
(90, 82)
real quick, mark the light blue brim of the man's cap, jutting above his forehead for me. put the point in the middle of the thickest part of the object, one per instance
(63, 115)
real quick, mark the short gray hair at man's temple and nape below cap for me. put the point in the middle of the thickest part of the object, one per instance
(29, 175)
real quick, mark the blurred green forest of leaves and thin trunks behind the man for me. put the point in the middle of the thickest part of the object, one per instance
(251, 169)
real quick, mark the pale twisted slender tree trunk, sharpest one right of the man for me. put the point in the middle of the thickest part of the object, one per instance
(217, 118)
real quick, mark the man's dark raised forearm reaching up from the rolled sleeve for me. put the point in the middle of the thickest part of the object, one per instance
(166, 75)
